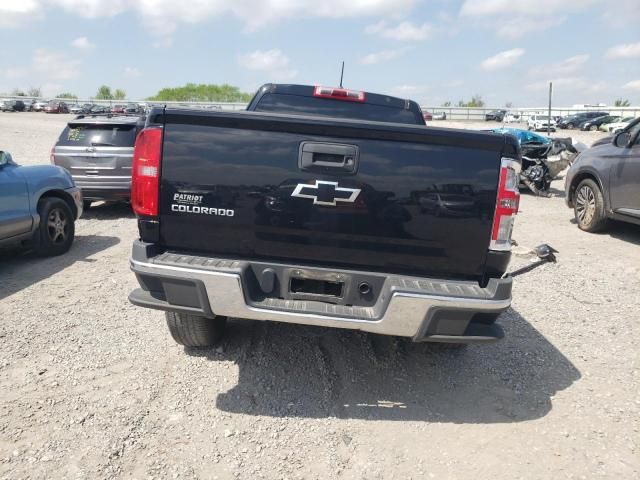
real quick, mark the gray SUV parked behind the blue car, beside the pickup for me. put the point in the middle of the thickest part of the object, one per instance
(97, 151)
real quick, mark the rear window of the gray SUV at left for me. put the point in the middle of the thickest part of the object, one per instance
(98, 136)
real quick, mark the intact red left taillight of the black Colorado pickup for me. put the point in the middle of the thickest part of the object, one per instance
(145, 176)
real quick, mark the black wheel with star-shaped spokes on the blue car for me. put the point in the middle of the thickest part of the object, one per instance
(56, 230)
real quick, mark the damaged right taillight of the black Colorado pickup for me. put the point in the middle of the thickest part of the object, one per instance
(506, 205)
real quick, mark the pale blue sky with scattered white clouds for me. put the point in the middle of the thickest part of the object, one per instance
(431, 51)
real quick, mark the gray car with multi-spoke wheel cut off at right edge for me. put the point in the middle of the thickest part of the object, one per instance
(604, 182)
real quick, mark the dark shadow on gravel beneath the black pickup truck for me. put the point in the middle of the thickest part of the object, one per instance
(296, 371)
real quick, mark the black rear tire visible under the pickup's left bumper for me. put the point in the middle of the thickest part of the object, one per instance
(194, 331)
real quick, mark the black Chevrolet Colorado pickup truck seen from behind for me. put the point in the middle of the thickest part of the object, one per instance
(323, 206)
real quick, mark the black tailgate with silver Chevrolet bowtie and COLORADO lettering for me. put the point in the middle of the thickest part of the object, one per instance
(330, 192)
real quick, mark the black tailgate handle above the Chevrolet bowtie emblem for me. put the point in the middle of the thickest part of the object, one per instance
(328, 157)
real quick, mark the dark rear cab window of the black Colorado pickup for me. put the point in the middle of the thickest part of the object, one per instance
(303, 105)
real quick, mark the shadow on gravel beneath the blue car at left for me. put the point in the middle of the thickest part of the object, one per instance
(19, 269)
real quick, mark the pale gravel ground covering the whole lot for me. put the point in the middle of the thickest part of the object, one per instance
(93, 387)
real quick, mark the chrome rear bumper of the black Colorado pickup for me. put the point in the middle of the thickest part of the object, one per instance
(420, 308)
